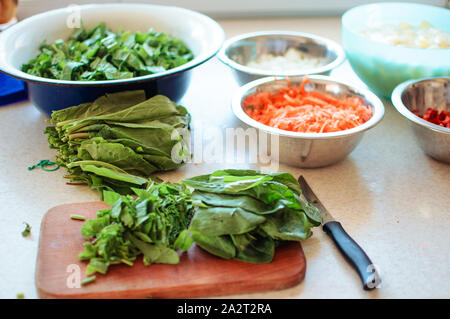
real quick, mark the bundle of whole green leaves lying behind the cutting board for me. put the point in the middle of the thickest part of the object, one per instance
(117, 141)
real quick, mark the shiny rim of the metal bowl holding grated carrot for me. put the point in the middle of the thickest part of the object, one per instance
(375, 102)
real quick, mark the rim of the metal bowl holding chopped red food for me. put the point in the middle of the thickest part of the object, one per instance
(396, 99)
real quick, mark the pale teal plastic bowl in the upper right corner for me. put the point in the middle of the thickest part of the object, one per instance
(382, 66)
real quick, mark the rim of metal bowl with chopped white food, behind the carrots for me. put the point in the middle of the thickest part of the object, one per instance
(335, 47)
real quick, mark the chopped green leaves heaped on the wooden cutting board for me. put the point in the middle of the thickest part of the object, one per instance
(153, 225)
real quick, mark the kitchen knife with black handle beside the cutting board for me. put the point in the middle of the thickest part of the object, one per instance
(348, 247)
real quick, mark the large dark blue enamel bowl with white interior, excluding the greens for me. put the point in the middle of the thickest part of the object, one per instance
(19, 43)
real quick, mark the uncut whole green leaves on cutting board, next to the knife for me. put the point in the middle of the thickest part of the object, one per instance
(245, 214)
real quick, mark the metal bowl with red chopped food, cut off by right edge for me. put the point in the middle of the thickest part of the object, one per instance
(419, 95)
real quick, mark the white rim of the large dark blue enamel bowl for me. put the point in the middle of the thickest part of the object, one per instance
(135, 80)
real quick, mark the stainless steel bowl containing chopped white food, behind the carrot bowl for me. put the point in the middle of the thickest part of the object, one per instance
(238, 51)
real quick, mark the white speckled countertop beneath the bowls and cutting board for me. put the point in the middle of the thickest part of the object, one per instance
(389, 196)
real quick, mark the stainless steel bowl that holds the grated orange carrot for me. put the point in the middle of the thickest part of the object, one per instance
(310, 149)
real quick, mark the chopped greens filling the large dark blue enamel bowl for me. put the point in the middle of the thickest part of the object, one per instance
(100, 54)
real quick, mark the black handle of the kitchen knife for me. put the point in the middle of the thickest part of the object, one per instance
(354, 254)
